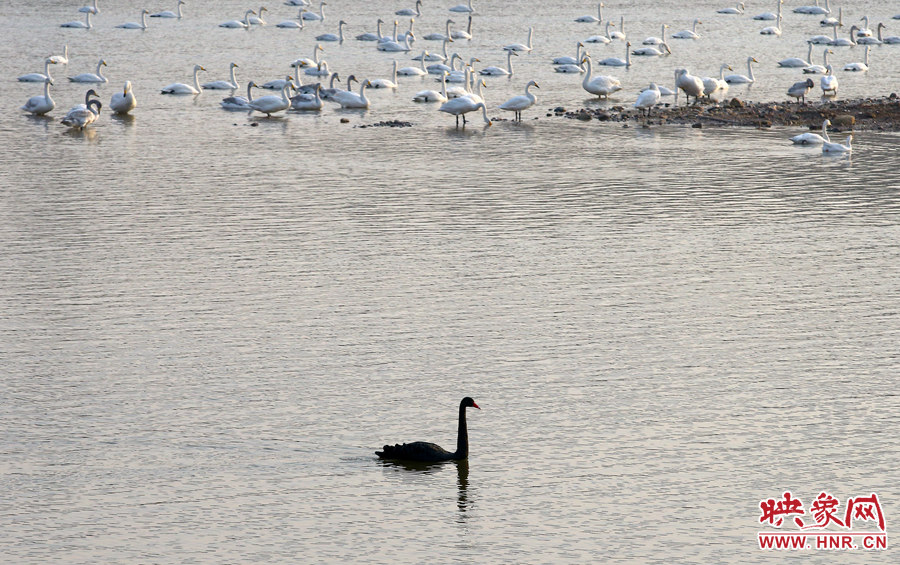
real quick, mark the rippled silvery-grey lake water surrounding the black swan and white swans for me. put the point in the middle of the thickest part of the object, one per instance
(207, 327)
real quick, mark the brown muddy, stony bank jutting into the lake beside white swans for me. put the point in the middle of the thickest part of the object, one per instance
(870, 114)
